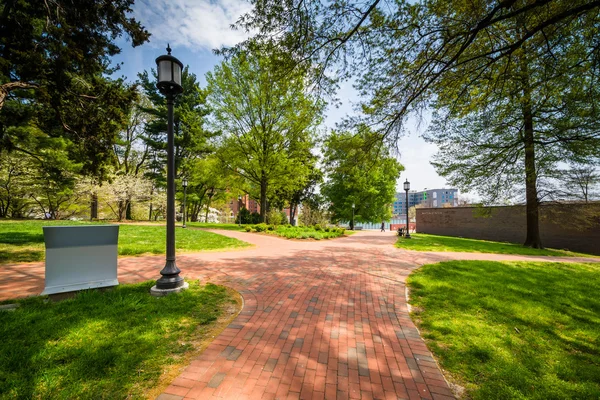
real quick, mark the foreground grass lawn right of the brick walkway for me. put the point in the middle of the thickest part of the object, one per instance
(513, 330)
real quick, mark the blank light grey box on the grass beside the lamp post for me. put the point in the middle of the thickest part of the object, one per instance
(80, 257)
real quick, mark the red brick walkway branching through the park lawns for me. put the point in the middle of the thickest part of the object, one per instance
(321, 319)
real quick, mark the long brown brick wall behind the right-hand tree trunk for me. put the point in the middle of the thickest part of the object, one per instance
(574, 227)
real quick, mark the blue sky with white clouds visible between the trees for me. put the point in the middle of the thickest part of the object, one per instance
(193, 28)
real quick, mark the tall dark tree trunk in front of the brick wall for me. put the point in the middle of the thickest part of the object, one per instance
(533, 227)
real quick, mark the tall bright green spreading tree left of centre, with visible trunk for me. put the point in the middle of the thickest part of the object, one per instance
(268, 123)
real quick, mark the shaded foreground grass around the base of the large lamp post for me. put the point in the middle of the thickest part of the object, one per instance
(106, 345)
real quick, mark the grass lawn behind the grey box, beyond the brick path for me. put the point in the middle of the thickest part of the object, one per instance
(23, 241)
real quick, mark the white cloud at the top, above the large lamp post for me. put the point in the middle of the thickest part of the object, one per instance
(195, 24)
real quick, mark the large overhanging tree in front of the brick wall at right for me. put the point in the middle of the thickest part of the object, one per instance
(522, 74)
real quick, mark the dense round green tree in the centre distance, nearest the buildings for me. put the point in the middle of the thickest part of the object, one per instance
(361, 174)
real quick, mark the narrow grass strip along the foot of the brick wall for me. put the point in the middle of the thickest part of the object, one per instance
(424, 242)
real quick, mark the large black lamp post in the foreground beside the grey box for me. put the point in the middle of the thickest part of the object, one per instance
(169, 84)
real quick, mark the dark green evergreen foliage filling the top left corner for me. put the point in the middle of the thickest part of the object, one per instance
(54, 62)
